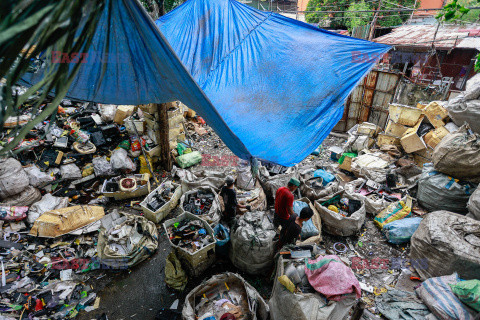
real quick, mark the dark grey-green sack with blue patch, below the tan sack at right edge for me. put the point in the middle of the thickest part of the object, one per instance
(437, 191)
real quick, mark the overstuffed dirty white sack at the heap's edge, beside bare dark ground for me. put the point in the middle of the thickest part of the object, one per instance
(126, 239)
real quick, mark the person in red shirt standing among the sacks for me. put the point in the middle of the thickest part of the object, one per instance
(284, 203)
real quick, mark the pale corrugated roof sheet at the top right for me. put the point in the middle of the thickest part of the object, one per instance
(422, 36)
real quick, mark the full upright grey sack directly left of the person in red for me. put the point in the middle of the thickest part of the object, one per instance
(252, 243)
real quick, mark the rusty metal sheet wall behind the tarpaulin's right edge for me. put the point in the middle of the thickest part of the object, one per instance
(369, 100)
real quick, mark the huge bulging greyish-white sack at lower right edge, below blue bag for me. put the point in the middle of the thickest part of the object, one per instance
(445, 243)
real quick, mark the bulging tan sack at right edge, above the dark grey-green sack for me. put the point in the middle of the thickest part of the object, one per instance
(458, 155)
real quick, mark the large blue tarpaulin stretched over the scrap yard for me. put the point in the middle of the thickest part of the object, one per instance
(271, 87)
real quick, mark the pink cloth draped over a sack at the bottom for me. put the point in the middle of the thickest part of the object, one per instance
(334, 279)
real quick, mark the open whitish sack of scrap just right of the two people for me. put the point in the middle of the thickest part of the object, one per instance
(336, 224)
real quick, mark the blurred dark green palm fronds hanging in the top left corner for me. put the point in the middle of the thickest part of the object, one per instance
(31, 28)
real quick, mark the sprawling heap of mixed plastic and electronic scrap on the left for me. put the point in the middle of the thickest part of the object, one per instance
(59, 192)
